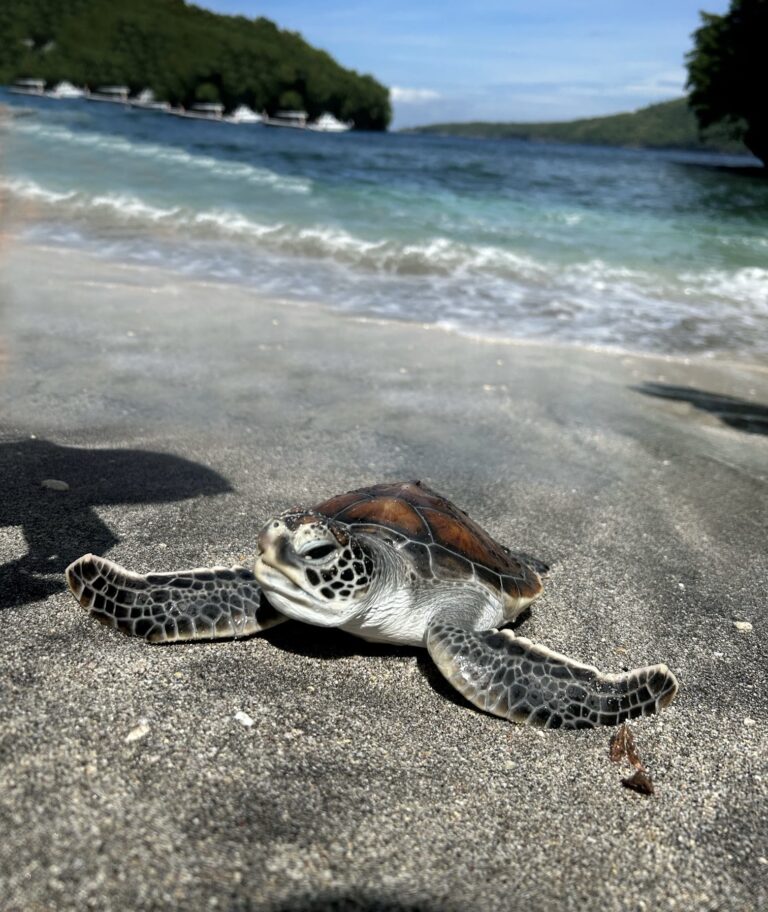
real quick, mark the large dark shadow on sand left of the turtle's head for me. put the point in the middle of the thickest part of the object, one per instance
(59, 526)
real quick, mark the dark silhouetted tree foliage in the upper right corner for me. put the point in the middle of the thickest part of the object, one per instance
(728, 73)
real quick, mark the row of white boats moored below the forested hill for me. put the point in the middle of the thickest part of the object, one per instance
(296, 120)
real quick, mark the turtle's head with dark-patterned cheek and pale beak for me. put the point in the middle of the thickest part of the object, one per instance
(314, 569)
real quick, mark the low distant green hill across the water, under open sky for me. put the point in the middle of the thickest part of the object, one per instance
(670, 125)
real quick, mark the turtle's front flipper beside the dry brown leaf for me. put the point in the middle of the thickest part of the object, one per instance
(518, 680)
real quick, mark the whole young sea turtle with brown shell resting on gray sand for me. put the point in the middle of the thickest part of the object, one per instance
(391, 563)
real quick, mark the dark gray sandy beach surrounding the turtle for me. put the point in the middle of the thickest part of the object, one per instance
(363, 784)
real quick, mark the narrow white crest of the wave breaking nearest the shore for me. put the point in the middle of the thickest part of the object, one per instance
(437, 257)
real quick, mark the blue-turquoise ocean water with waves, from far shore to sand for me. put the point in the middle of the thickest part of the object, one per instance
(631, 249)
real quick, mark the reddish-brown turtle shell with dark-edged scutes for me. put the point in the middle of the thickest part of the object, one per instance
(443, 542)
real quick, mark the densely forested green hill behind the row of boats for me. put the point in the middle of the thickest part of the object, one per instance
(185, 54)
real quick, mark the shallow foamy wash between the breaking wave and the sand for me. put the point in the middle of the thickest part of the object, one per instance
(624, 319)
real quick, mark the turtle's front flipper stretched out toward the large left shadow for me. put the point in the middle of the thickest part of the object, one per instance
(202, 604)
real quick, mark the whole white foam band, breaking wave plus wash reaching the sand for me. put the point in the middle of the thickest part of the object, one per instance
(479, 287)
